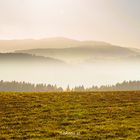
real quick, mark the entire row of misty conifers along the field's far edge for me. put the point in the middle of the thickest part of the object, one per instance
(28, 87)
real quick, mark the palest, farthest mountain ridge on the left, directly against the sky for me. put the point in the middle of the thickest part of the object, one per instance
(60, 42)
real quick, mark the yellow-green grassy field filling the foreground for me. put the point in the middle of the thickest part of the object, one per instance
(70, 116)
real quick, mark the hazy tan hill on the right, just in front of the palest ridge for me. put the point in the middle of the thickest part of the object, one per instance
(84, 53)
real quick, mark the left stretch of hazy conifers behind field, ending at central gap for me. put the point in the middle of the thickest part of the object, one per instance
(28, 87)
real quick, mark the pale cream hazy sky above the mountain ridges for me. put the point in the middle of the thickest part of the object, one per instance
(114, 21)
